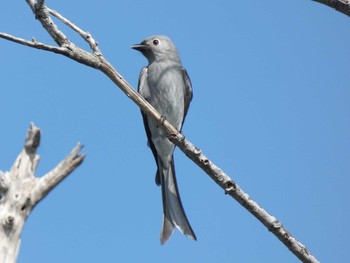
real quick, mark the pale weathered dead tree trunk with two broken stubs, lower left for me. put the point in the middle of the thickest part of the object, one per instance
(21, 190)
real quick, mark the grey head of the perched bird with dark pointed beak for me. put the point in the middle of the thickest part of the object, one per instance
(157, 48)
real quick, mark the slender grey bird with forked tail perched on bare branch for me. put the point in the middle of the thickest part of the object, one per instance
(165, 84)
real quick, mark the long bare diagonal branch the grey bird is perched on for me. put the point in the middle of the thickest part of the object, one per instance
(96, 60)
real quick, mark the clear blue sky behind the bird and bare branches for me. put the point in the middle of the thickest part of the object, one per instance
(271, 108)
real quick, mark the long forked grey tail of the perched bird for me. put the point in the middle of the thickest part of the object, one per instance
(173, 211)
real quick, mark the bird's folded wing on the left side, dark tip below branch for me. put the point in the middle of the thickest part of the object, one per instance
(143, 90)
